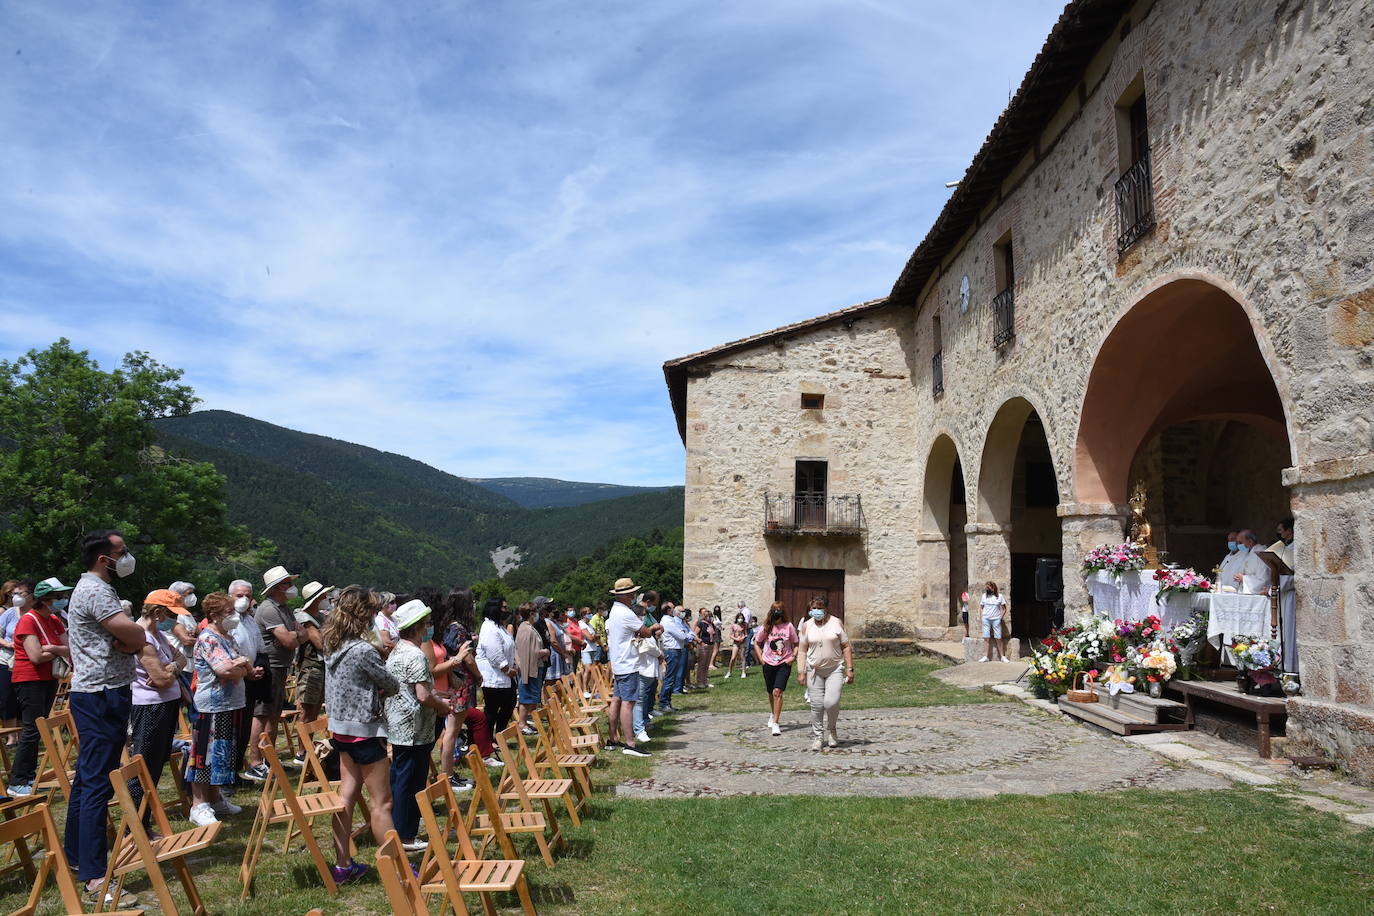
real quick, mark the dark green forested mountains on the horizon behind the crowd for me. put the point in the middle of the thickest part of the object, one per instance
(347, 513)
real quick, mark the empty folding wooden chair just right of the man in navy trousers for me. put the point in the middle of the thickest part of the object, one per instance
(134, 851)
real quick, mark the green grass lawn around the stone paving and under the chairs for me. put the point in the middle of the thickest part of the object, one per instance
(1239, 851)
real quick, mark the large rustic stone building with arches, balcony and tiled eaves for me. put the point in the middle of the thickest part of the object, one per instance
(1159, 270)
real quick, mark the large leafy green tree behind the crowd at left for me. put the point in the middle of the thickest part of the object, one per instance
(78, 453)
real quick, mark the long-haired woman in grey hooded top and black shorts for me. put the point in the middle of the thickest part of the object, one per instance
(354, 690)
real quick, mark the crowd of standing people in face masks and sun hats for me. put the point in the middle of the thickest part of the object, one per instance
(398, 676)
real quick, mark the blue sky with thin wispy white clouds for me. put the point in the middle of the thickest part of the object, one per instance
(473, 233)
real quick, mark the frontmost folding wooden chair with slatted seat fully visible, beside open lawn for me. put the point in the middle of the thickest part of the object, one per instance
(468, 873)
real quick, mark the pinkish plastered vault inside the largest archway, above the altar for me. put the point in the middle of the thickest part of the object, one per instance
(1188, 350)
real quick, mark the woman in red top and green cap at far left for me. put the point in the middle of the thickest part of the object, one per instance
(39, 638)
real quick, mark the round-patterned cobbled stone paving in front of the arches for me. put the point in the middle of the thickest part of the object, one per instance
(945, 752)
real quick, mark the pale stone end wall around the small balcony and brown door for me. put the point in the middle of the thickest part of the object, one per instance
(747, 431)
